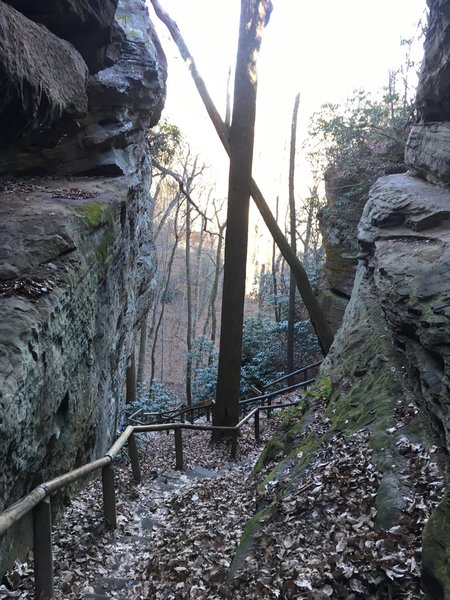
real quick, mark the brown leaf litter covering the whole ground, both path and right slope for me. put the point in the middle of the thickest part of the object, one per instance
(177, 533)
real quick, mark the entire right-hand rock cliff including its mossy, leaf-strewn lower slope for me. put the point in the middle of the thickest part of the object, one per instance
(387, 375)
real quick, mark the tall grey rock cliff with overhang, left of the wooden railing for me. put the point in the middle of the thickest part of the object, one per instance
(80, 84)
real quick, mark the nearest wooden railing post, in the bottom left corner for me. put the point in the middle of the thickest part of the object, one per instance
(42, 549)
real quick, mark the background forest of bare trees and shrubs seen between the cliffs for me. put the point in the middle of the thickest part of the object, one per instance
(176, 357)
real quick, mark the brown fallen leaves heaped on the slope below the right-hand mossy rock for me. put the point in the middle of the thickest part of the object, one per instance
(323, 541)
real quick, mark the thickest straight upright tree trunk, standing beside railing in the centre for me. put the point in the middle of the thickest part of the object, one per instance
(226, 408)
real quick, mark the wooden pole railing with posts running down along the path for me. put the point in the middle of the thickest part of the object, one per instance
(38, 500)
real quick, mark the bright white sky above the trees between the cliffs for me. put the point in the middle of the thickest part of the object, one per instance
(321, 48)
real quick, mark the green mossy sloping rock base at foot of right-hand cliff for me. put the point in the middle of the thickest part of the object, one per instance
(368, 390)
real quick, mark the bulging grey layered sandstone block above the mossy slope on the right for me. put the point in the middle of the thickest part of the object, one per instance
(405, 230)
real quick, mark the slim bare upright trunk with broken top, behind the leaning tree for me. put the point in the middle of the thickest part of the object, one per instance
(292, 226)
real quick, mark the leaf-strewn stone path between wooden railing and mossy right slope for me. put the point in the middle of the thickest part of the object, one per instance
(193, 518)
